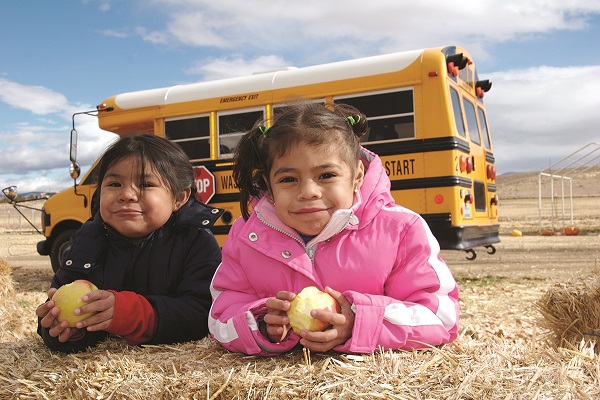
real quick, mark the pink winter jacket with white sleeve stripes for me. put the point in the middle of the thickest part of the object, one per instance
(382, 257)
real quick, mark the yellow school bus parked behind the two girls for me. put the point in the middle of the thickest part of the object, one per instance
(427, 121)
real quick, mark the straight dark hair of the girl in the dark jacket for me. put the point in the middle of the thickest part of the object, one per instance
(150, 151)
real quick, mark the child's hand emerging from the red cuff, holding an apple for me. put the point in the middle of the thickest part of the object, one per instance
(101, 302)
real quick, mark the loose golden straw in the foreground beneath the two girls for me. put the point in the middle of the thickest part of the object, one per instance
(485, 362)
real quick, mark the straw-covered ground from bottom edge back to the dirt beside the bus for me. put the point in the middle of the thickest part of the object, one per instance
(503, 351)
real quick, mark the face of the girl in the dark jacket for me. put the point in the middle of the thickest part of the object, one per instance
(134, 213)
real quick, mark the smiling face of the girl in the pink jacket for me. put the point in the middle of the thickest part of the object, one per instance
(309, 184)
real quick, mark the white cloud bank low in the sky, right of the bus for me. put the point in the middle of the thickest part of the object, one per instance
(542, 114)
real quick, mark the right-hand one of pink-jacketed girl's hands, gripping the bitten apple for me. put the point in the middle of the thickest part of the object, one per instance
(341, 330)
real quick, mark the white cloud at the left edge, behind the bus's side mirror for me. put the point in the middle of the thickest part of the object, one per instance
(35, 155)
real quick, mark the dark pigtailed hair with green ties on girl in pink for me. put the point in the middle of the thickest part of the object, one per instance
(314, 124)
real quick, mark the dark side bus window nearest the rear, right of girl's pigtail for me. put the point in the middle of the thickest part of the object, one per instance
(391, 114)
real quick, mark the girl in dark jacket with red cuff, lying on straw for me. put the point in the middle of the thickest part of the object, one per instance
(148, 250)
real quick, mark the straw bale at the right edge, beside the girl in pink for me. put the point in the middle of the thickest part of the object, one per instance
(571, 312)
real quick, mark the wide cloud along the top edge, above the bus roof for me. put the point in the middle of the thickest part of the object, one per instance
(326, 30)
